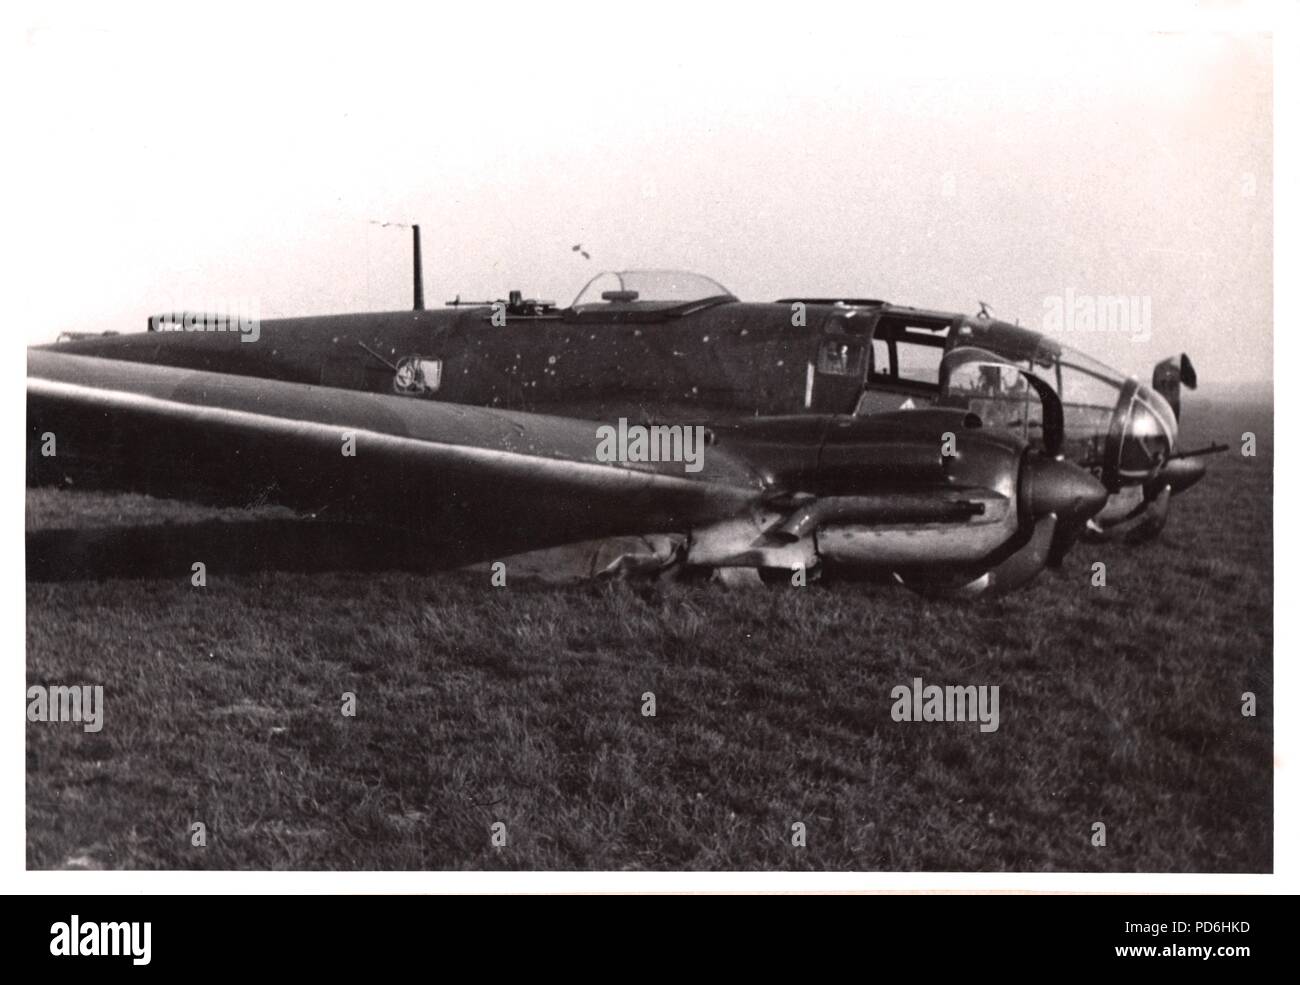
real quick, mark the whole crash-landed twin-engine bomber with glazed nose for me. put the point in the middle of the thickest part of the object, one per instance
(658, 423)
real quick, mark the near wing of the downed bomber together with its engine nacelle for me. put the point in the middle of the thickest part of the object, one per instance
(877, 492)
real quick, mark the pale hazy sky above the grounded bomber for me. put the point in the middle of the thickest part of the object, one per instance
(170, 164)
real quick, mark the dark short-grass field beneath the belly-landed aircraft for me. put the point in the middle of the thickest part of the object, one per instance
(523, 705)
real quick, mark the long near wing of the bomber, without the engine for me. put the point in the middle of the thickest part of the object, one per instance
(436, 468)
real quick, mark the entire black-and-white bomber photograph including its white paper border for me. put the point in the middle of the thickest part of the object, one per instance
(647, 440)
